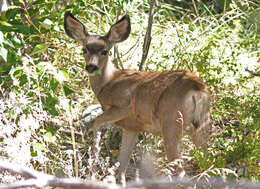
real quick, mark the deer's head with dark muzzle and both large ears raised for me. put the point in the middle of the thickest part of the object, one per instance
(95, 47)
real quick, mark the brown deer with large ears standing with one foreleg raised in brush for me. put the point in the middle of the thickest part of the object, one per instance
(170, 104)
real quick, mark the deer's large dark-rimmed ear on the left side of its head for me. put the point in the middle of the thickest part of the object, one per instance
(74, 28)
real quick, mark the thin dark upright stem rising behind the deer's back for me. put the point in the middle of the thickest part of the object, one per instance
(147, 39)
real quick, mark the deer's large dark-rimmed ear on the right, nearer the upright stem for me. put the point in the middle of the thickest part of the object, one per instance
(120, 30)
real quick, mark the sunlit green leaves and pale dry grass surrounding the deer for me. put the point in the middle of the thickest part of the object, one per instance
(44, 90)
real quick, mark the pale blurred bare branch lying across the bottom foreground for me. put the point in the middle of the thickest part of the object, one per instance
(37, 179)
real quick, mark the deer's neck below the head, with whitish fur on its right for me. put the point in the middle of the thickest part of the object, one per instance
(98, 81)
